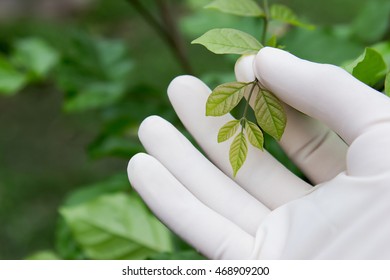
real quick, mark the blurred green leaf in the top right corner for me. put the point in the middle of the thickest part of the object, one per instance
(372, 21)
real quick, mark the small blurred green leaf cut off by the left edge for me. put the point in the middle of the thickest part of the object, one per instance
(11, 80)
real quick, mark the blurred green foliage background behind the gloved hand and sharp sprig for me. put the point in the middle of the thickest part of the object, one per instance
(76, 79)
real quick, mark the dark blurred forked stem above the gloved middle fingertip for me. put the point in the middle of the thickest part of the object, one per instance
(169, 33)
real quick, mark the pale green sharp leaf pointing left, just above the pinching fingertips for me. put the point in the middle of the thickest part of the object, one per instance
(227, 40)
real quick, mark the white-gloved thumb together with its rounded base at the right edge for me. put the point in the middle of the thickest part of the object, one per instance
(357, 113)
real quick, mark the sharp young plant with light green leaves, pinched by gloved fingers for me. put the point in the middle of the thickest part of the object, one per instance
(268, 110)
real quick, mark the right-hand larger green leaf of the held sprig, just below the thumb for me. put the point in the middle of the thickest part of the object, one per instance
(270, 114)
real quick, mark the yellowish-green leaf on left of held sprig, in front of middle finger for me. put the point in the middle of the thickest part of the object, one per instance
(224, 98)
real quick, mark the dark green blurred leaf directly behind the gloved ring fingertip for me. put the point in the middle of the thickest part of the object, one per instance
(118, 135)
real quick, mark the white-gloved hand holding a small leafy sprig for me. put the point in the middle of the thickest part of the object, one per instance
(266, 212)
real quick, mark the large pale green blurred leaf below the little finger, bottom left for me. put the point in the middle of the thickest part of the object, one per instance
(117, 226)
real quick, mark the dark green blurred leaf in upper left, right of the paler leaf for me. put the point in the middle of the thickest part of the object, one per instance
(94, 72)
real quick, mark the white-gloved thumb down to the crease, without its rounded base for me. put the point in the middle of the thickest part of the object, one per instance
(325, 92)
